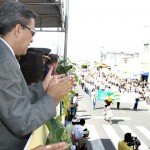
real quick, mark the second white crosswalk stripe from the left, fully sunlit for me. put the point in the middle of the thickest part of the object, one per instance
(112, 135)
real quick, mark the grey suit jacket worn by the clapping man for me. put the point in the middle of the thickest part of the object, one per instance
(22, 109)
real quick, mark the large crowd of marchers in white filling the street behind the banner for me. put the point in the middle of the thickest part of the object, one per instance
(92, 81)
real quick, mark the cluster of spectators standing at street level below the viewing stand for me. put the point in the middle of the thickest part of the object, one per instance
(75, 128)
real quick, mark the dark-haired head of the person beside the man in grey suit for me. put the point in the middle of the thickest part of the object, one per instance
(32, 66)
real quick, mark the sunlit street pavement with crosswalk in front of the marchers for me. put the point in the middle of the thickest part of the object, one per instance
(105, 136)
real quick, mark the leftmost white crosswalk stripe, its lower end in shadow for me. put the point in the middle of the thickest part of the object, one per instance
(94, 137)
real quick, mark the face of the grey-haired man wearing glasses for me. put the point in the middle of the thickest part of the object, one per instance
(26, 37)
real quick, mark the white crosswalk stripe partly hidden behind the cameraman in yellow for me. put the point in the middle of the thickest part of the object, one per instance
(126, 129)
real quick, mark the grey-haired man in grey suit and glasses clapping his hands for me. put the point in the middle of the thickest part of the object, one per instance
(22, 109)
